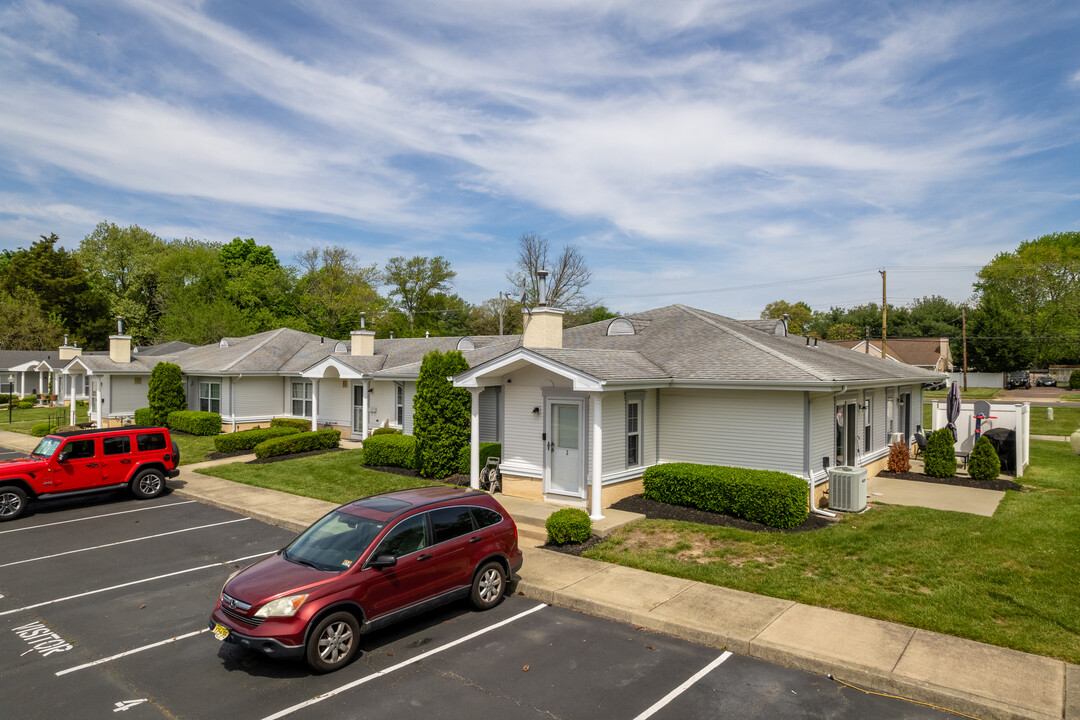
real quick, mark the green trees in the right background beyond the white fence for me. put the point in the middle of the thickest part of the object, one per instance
(1024, 313)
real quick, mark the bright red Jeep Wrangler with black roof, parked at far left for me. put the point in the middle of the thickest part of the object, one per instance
(85, 461)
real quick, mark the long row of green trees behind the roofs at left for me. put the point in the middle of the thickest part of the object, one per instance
(200, 292)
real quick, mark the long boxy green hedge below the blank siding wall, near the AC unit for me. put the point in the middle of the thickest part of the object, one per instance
(767, 497)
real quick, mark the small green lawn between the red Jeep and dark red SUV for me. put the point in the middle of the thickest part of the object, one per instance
(337, 478)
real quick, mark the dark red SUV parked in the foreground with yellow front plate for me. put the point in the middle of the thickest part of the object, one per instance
(366, 565)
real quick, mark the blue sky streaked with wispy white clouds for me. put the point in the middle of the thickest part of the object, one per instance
(722, 155)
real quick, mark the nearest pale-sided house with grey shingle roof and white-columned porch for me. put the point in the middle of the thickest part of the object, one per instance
(587, 411)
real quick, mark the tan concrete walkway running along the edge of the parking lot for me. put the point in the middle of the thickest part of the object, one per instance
(977, 680)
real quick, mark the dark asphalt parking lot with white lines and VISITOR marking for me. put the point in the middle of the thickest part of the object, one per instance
(104, 606)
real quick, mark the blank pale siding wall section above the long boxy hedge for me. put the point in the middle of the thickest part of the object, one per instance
(742, 429)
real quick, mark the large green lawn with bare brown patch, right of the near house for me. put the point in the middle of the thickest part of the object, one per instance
(1008, 580)
